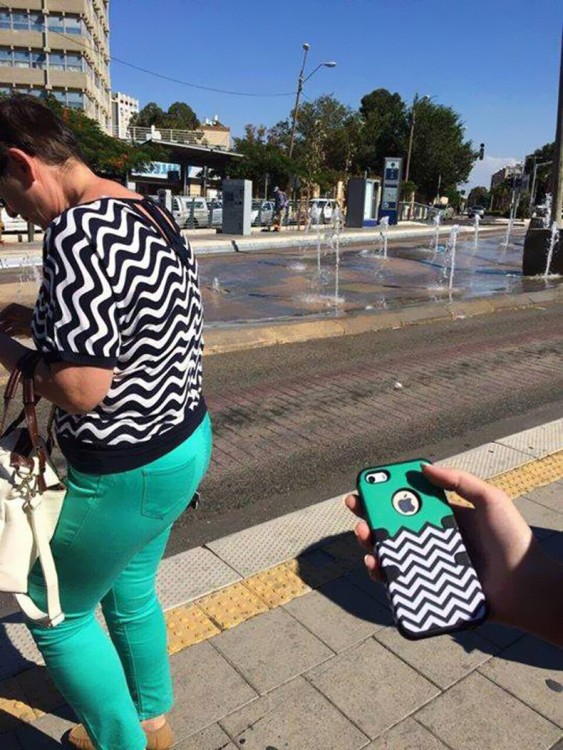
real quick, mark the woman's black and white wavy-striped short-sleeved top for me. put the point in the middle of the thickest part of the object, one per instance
(118, 294)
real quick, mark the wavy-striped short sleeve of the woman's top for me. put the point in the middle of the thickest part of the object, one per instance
(75, 318)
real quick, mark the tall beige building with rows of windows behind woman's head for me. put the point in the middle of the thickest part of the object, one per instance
(59, 47)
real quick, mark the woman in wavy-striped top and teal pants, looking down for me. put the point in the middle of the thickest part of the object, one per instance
(118, 323)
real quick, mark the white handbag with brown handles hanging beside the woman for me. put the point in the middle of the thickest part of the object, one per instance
(31, 498)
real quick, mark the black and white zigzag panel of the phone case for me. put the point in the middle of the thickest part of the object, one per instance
(431, 586)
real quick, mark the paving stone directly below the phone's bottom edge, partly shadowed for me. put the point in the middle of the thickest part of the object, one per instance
(444, 659)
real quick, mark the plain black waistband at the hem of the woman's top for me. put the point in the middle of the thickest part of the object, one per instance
(94, 459)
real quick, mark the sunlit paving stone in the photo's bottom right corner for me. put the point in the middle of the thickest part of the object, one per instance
(477, 714)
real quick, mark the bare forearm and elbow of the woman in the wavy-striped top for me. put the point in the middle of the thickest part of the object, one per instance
(75, 388)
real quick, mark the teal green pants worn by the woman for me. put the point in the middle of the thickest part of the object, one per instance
(107, 547)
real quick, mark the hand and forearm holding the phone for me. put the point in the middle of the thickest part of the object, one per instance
(523, 586)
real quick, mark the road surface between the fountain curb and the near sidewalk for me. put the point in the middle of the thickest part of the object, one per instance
(294, 424)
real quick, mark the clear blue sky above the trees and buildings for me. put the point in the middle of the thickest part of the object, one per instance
(496, 63)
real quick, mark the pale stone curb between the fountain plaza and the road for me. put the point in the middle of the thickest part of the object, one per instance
(239, 337)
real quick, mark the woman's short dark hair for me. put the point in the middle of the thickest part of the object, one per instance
(28, 124)
